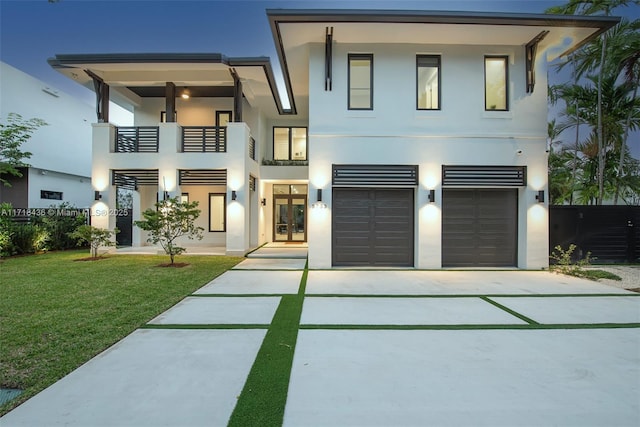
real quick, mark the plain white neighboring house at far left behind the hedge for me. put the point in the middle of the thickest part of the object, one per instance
(60, 165)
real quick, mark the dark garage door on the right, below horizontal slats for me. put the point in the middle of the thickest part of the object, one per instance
(479, 227)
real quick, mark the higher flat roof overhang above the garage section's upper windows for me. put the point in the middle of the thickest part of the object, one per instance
(294, 28)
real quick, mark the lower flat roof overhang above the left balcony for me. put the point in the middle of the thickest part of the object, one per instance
(134, 75)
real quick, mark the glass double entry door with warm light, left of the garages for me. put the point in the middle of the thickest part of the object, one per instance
(290, 218)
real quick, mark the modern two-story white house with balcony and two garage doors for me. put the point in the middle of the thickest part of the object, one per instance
(405, 138)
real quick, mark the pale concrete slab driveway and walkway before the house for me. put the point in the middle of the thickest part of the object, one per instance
(375, 348)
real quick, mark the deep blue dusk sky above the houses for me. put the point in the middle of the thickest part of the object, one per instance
(31, 31)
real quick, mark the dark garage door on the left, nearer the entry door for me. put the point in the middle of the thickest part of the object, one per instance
(372, 227)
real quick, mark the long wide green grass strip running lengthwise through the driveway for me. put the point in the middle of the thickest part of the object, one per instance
(264, 396)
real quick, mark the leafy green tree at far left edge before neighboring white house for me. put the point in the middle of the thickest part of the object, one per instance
(13, 134)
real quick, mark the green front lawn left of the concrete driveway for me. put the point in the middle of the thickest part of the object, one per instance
(57, 313)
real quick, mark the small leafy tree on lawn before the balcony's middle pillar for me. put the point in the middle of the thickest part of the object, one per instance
(171, 219)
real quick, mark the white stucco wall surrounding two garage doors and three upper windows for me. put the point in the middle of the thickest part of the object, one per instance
(461, 133)
